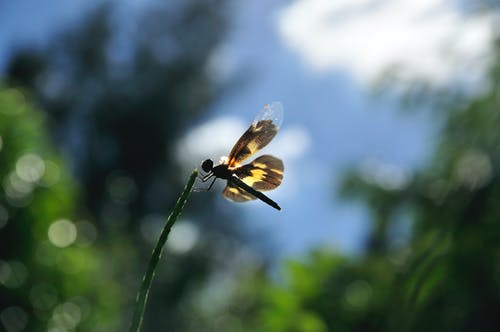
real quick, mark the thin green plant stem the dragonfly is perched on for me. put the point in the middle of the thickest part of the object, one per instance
(142, 296)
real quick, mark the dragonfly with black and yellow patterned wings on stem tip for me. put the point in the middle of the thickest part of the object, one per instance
(247, 182)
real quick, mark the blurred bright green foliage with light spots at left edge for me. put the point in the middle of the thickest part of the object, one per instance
(48, 259)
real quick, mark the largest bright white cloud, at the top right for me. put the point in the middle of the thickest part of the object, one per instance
(425, 39)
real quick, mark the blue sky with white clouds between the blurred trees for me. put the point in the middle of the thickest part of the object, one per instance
(315, 57)
